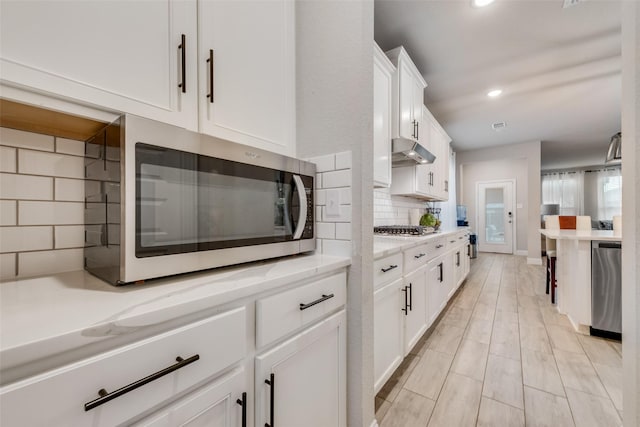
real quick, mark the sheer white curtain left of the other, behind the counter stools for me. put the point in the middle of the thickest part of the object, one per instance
(565, 189)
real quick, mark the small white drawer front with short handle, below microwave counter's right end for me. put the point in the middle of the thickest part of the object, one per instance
(287, 311)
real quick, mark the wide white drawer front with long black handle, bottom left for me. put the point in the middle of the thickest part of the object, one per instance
(58, 397)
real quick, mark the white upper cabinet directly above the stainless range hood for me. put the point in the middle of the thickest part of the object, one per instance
(408, 96)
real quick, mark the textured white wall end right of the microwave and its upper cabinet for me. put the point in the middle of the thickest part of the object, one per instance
(334, 96)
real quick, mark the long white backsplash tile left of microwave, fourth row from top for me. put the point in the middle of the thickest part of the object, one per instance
(45, 213)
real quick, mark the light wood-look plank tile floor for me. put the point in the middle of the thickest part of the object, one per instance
(501, 355)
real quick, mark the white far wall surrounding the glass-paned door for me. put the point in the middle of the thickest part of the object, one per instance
(518, 161)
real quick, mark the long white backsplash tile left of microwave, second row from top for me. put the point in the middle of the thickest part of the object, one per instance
(50, 164)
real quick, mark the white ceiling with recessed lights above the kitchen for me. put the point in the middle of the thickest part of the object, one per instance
(559, 69)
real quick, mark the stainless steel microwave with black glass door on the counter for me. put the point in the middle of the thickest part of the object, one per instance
(161, 200)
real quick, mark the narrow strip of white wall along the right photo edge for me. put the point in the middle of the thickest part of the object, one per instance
(630, 211)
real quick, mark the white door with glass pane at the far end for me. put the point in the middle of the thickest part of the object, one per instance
(495, 216)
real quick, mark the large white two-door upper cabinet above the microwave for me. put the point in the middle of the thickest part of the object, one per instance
(224, 68)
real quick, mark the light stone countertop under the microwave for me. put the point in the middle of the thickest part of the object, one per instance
(45, 317)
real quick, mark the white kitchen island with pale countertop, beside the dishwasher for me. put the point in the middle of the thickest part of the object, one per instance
(573, 272)
